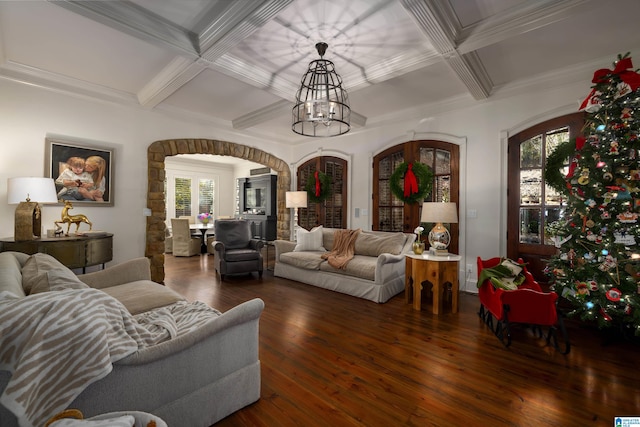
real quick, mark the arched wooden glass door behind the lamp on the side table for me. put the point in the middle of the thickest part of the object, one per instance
(392, 214)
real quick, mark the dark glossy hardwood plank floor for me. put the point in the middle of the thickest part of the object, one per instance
(330, 359)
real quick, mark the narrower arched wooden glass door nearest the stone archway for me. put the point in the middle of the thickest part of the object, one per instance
(331, 212)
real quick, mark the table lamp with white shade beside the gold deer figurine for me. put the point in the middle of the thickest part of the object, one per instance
(27, 193)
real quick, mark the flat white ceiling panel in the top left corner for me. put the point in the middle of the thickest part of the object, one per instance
(49, 38)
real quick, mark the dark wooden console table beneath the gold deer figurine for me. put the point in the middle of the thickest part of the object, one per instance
(73, 251)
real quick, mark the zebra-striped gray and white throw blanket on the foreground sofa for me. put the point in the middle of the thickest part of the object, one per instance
(55, 344)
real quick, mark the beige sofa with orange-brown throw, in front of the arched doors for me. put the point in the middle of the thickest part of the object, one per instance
(375, 273)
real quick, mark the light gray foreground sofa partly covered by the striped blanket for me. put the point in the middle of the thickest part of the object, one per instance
(195, 379)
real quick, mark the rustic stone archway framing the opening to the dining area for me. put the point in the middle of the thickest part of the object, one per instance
(159, 150)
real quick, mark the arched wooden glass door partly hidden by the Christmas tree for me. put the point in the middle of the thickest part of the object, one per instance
(532, 205)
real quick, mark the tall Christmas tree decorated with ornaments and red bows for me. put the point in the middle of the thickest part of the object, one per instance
(597, 266)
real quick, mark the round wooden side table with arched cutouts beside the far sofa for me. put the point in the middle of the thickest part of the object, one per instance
(438, 270)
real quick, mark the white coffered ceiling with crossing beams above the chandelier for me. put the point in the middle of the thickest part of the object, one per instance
(238, 63)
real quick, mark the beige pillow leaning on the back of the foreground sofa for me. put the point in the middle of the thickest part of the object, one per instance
(35, 273)
